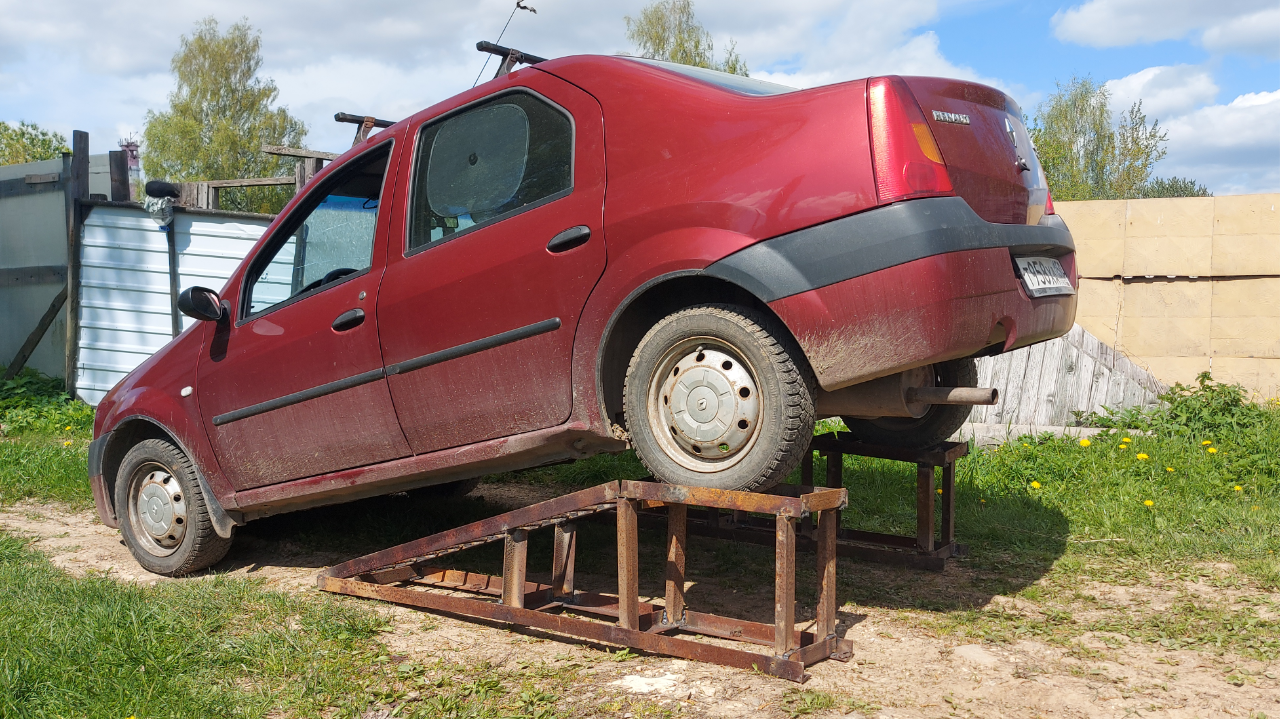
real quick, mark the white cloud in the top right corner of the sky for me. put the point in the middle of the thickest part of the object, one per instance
(1116, 24)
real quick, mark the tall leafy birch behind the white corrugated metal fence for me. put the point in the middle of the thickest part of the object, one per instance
(221, 113)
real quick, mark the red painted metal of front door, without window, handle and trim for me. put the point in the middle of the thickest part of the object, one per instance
(294, 349)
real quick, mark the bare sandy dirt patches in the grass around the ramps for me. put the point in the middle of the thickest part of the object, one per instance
(900, 669)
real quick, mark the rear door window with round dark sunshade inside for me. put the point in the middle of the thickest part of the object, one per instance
(487, 163)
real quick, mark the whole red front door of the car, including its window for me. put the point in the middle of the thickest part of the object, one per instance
(292, 386)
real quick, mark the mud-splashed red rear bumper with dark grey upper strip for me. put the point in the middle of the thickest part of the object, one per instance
(904, 286)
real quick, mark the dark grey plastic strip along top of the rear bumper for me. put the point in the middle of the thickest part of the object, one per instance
(880, 239)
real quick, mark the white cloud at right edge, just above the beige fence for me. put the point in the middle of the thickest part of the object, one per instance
(1229, 148)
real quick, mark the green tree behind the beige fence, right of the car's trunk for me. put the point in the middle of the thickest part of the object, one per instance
(1090, 157)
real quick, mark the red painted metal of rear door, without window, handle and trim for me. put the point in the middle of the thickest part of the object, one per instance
(490, 281)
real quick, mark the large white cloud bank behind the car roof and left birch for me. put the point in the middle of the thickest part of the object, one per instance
(109, 61)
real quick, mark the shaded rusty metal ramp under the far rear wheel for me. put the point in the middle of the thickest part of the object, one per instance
(925, 552)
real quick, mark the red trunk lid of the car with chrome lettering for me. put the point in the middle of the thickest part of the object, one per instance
(986, 148)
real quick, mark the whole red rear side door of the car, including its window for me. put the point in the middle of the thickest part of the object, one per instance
(502, 244)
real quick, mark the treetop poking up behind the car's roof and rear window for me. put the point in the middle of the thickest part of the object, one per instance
(668, 30)
